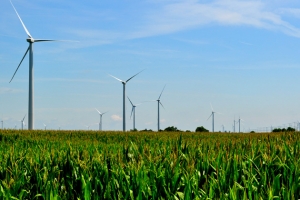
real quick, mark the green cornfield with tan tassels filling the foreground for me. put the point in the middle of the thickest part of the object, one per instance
(148, 165)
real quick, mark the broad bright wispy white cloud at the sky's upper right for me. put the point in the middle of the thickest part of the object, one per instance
(189, 14)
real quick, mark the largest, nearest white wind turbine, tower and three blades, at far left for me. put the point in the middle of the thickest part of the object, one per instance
(30, 40)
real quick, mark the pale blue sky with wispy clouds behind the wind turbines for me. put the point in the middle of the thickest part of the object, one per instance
(240, 56)
